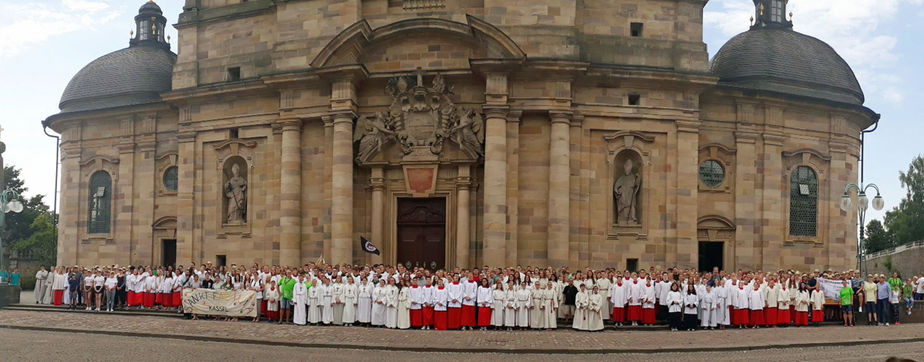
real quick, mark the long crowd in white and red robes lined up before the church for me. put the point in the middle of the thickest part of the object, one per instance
(495, 298)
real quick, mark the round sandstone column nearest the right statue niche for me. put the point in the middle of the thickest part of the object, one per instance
(558, 242)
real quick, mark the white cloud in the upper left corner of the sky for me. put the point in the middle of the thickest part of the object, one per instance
(28, 23)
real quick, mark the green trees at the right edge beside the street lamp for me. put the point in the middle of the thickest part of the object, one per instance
(904, 222)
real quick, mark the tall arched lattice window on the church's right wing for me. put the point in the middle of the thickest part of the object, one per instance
(803, 202)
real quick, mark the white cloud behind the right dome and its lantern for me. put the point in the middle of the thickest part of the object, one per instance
(849, 26)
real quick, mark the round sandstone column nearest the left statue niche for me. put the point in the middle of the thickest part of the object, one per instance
(290, 185)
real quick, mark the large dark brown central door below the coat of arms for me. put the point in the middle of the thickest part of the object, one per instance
(422, 232)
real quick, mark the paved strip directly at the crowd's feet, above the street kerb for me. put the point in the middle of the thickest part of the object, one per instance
(558, 341)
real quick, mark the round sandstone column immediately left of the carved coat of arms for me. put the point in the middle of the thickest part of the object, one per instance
(342, 190)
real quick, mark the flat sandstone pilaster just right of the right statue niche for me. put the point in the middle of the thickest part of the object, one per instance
(687, 193)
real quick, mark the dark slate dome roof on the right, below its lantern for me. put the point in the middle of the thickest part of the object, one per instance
(784, 61)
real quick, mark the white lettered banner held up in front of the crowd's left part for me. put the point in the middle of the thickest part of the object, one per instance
(231, 303)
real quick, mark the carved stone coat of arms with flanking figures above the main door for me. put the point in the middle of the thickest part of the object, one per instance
(420, 119)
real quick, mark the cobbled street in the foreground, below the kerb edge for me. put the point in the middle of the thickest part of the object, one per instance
(19, 345)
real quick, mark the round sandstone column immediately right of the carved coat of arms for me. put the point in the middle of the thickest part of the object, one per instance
(495, 187)
